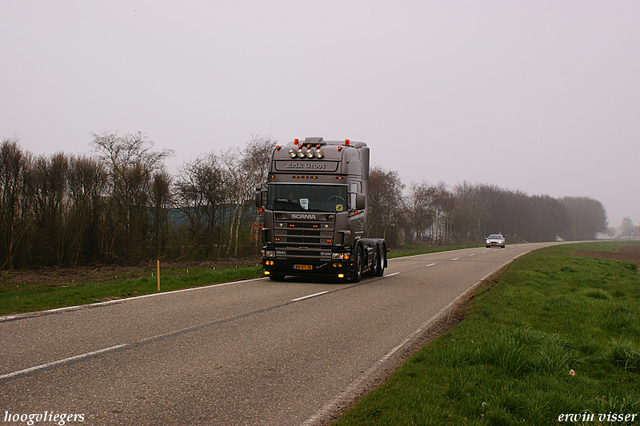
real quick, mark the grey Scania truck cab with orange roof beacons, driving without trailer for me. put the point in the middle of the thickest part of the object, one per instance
(314, 207)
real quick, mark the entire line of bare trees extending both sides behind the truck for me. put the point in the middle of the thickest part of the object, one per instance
(121, 205)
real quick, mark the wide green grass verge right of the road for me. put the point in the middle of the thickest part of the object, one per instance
(509, 361)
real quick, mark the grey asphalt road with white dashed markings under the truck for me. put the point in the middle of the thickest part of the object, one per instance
(245, 353)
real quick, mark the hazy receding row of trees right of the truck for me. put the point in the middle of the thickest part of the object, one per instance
(467, 213)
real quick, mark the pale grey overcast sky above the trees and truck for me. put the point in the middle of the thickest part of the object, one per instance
(540, 96)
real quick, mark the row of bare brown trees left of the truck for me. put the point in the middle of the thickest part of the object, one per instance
(122, 206)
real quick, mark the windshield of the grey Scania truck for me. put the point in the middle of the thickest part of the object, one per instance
(316, 198)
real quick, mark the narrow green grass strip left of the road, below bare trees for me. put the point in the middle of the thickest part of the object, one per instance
(34, 296)
